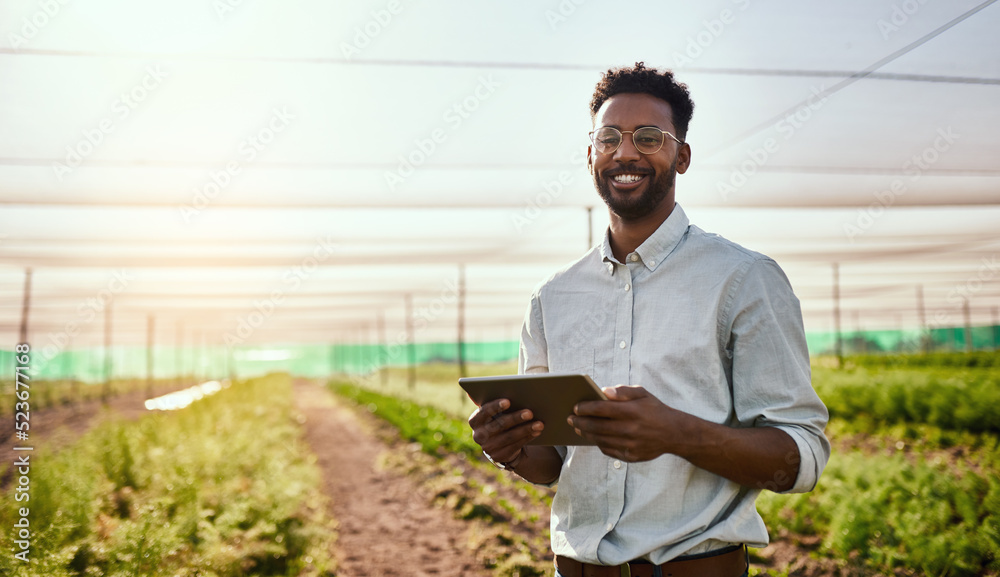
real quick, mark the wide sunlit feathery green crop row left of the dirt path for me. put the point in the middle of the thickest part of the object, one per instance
(223, 487)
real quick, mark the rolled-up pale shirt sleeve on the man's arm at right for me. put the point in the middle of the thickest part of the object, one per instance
(771, 377)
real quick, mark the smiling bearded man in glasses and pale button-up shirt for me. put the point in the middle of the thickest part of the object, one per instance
(703, 340)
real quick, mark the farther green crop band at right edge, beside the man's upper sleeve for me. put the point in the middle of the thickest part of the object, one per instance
(957, 399)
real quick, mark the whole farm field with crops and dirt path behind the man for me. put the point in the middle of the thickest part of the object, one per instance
(255, 480)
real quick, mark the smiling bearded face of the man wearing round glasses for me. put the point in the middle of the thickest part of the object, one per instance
(632, 184)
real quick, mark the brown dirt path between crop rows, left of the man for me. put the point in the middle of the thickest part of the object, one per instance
(387, 526)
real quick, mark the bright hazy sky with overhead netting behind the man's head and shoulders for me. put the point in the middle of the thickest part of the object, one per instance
(196, 158)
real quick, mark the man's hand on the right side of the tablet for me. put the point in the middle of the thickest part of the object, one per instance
(632, 425)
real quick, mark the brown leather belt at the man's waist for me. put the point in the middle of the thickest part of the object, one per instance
(728, 562)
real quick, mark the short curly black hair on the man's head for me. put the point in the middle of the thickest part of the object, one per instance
(639, 79)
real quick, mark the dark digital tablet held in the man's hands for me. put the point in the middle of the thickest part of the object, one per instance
(550, 396)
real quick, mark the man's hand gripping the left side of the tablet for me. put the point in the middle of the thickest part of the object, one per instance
(503, 435)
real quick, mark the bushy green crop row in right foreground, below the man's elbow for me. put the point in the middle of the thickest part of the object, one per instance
(890, 513)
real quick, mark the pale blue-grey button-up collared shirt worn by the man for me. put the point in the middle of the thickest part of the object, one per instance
(709, 328)
